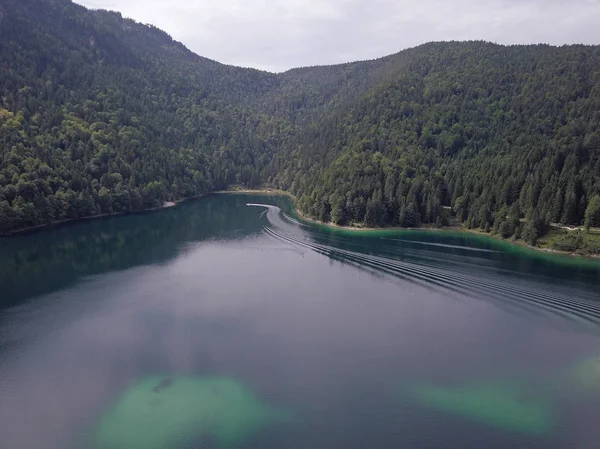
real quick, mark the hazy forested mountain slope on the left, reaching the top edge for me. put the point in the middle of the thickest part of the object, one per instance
(101, 114)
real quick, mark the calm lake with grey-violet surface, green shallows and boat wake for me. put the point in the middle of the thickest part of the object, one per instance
(218, 324)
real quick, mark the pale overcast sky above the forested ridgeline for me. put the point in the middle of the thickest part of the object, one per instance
(276, 35)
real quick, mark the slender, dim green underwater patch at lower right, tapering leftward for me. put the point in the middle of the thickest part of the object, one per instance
(502, 406)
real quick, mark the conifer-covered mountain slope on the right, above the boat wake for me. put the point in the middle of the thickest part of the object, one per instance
(474, 126)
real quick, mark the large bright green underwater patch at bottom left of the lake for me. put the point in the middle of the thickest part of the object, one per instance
(175, 412)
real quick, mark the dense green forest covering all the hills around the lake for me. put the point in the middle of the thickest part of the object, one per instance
(100, 114)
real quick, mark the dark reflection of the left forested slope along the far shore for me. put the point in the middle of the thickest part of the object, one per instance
(57, 257)
